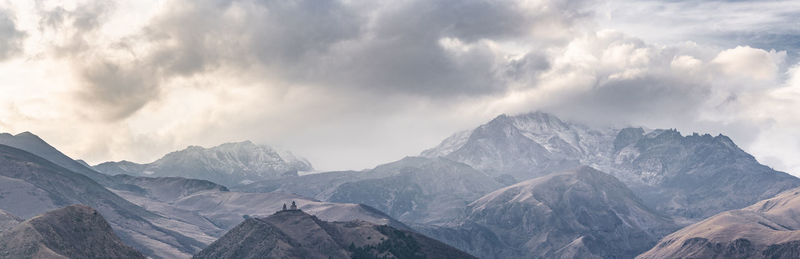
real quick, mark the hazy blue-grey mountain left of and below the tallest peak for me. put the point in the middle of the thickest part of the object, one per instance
(413, 189)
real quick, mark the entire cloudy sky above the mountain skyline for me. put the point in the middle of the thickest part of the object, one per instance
(351, 84)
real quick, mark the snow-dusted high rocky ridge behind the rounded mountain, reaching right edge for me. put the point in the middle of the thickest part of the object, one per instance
(690, 177)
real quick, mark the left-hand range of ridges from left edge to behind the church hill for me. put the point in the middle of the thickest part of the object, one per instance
(32, 185)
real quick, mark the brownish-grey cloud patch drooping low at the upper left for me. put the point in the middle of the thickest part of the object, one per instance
(111, 89)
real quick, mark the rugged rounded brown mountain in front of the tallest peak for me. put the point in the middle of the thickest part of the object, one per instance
(582, 213)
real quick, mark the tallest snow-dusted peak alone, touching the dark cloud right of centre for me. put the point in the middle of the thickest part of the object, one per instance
(525, 146)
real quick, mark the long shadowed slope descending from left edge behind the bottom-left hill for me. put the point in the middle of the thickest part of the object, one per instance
(32, 185)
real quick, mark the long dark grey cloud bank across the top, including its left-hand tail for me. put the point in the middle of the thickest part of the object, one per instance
(390, 48)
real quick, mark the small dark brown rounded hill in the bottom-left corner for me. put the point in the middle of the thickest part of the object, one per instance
(75, 231)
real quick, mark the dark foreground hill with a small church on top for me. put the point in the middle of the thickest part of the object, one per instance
(295, 234)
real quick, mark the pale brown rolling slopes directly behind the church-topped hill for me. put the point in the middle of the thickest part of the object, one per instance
(209, 209)
